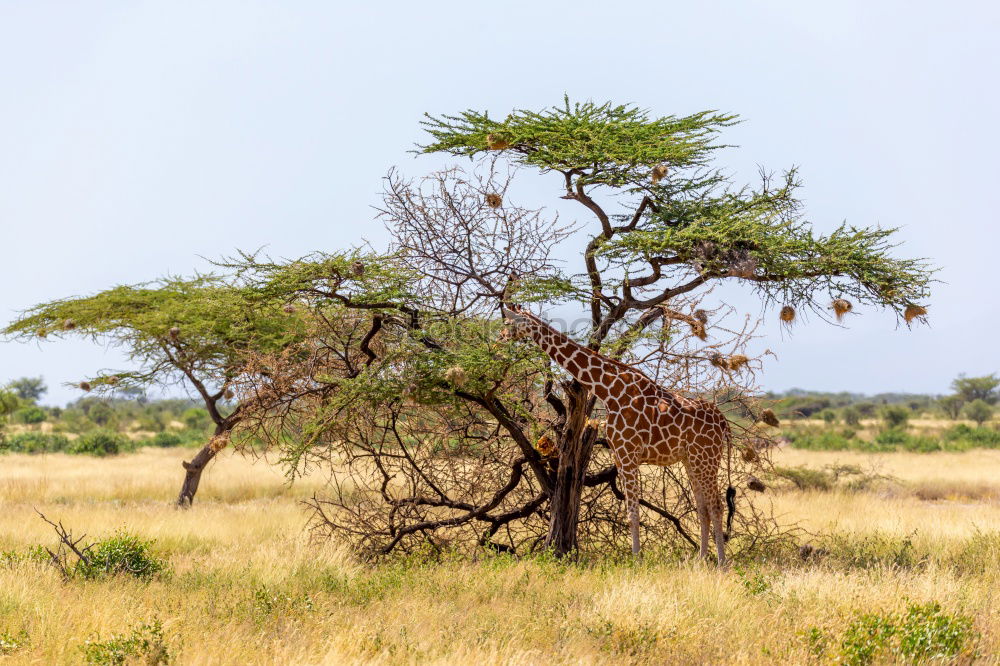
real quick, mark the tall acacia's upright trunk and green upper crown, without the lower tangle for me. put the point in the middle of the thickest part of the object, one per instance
(668, 224)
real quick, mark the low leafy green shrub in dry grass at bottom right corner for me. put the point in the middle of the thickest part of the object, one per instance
(924, 632)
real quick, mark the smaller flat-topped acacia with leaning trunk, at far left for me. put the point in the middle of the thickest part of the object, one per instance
(194, 333)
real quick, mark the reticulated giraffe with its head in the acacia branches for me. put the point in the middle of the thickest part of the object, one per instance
(646, 424)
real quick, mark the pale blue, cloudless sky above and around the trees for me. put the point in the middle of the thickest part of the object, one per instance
(137, 136)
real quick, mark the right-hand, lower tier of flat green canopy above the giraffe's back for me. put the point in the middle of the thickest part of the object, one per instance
(760, 236)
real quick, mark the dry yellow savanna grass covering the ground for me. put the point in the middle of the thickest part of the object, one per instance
(248, 588)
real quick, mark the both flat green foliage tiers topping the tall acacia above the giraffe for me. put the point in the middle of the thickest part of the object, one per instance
(698, 221)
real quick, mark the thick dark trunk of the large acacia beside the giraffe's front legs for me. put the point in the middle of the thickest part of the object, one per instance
(575, 448)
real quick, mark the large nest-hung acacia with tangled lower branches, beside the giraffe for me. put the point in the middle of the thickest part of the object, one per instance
(444, 429)
